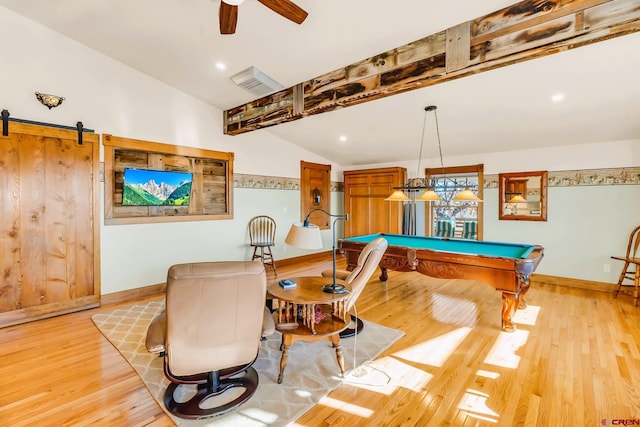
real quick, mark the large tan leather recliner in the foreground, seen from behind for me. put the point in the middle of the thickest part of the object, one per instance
(210, 332)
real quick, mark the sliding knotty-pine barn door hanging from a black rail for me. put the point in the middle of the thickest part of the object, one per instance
(49, 256)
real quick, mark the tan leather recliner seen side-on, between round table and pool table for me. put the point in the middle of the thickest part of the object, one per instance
(368, 261)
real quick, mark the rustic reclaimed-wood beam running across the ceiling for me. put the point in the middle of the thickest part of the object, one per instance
(523, 31)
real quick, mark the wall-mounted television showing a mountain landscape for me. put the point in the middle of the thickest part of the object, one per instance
(145, 187)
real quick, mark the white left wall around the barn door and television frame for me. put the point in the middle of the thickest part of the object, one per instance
(109, 97)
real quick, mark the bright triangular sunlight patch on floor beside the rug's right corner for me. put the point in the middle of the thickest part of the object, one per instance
(435, 351)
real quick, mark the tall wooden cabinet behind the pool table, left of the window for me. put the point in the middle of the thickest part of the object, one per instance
(364, 194)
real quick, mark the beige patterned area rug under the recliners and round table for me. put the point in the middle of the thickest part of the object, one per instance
(311, 373)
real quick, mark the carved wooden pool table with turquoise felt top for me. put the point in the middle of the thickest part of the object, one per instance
(505, 266)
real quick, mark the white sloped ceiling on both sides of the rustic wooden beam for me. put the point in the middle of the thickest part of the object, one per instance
(178, 42)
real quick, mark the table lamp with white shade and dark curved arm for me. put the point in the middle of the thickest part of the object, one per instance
(304, 235)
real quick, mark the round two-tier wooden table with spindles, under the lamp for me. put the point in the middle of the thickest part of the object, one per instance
(306, 313)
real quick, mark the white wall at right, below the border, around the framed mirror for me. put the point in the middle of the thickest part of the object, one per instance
(585, 226)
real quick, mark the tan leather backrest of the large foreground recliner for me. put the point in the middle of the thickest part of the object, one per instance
(214, 315)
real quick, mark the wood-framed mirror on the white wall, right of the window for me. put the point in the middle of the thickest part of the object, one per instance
(523, 196)
